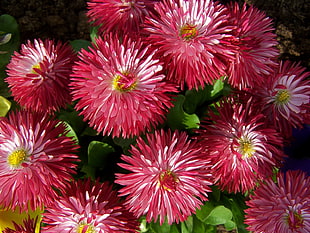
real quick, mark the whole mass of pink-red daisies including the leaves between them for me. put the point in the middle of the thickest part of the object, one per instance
(127, 85)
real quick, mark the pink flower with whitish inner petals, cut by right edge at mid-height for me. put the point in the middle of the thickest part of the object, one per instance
(285, 97)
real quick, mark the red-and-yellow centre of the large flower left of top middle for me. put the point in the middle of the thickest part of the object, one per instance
(124, 82)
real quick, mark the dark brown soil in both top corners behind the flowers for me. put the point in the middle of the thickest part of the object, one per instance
(66, 20)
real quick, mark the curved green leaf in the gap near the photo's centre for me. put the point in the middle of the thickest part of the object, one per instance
(178, 119)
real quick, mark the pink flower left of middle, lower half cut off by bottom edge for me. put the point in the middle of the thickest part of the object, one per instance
(90, 207)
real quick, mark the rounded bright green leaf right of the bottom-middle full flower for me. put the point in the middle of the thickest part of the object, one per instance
(219, 215)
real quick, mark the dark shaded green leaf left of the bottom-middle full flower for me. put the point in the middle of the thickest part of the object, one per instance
(98, 153)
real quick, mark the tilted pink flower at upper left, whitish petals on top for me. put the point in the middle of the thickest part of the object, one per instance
(39, 75)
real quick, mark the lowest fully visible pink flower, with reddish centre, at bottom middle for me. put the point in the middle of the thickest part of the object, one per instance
(169, 177)
